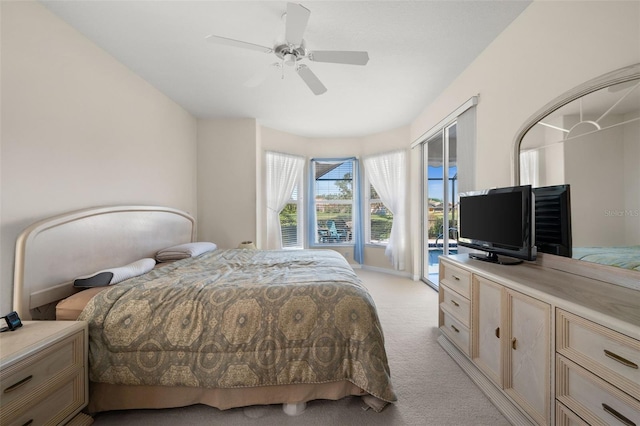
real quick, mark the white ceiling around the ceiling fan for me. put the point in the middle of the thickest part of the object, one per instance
(416, 49)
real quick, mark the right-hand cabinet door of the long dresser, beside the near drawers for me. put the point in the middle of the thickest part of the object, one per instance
(527, 354)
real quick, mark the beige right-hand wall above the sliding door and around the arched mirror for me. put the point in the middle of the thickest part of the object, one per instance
(550, 48)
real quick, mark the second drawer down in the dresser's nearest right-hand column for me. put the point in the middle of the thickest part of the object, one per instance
(593, 399)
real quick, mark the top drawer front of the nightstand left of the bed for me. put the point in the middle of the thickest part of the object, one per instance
(28, 376)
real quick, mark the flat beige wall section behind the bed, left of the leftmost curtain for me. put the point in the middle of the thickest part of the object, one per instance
(227, 181)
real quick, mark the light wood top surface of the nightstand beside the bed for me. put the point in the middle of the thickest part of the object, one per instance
(32, 337)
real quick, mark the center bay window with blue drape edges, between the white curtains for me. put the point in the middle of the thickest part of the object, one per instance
(333, 200)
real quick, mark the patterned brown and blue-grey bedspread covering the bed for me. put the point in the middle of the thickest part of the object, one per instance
(240, 318)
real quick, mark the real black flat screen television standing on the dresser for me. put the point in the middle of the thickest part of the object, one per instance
(499, 222)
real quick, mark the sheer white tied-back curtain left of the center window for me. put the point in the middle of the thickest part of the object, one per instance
(283, 172)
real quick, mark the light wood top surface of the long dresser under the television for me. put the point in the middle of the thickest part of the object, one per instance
(612, 305)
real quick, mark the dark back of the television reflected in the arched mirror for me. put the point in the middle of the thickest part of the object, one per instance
(553, 220)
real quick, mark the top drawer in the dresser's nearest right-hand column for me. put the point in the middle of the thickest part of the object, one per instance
(607, 353)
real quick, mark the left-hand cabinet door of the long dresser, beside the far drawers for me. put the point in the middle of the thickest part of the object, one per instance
(487, 331)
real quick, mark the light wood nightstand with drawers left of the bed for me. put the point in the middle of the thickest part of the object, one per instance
(43, 374)
